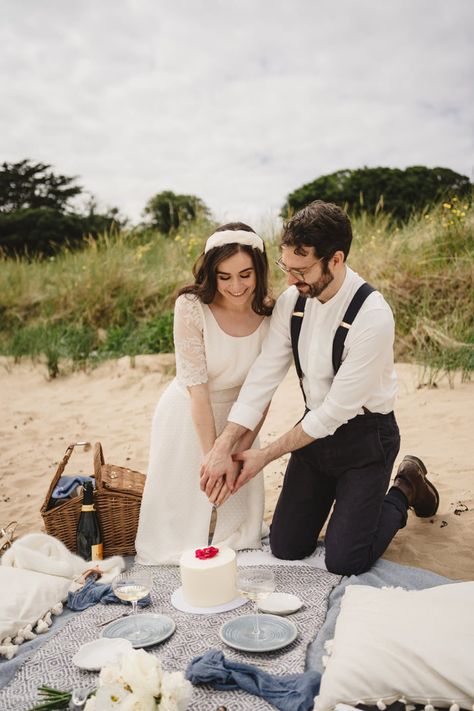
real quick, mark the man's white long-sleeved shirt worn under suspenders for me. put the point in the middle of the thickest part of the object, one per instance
(366, 376)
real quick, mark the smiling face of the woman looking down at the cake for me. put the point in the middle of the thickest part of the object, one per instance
(236, 279)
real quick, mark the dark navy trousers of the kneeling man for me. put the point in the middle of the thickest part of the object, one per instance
(351, 470)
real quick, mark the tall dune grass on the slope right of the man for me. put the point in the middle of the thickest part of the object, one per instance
(425, 271)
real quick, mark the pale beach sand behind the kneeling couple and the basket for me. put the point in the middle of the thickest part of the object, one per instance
(114, 404)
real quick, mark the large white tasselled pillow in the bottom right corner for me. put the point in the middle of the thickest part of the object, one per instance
(411, 645)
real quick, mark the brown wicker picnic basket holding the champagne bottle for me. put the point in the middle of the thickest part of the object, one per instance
(117, 498)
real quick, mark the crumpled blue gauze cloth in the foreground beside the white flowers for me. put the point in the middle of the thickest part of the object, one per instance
(289, 692)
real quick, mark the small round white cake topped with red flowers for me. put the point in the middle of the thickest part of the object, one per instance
(208, 582)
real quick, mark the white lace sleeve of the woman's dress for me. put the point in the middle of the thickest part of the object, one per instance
(191, 367)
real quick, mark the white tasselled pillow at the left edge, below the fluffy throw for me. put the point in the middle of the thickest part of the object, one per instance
(26, 599)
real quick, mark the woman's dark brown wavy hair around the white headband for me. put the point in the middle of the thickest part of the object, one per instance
(205, 271)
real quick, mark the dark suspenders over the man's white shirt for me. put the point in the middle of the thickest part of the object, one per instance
(339, 337)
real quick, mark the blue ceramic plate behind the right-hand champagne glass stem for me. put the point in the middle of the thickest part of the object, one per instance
(277, 632)
